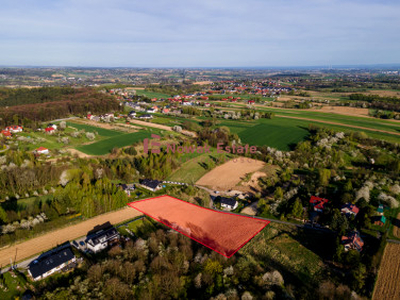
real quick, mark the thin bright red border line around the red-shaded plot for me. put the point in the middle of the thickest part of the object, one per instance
(215, 211)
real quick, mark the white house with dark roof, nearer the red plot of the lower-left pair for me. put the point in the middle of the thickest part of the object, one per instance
(101, 239)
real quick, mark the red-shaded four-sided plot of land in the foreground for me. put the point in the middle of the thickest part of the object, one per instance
(222, 232)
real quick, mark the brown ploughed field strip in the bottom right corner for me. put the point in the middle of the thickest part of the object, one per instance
(387, 285)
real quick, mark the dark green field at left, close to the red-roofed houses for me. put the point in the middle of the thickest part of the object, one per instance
(122, 140)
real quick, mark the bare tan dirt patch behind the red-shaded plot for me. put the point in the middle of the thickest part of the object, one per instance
(228, 175)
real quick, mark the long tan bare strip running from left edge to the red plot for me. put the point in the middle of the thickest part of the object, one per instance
(57, 237)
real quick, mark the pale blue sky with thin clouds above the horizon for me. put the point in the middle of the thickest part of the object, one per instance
(199, 33)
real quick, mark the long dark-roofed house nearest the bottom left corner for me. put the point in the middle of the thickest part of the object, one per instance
(51, 262)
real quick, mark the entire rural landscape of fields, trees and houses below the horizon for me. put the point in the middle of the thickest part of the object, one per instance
(296, 195)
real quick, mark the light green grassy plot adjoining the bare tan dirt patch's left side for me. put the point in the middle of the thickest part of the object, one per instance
(193, 168)
